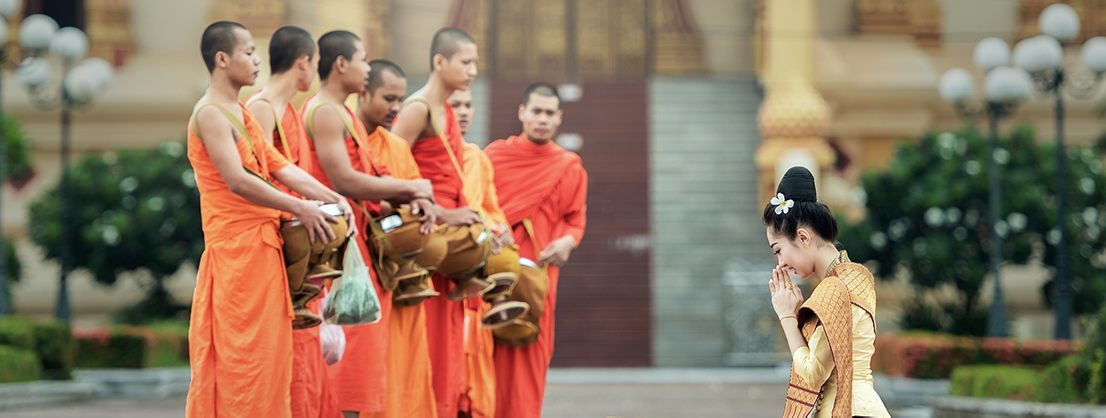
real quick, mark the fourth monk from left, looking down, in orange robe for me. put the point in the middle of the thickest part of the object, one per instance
(411, 392)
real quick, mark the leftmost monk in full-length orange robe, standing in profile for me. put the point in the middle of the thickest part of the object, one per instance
(241, 335)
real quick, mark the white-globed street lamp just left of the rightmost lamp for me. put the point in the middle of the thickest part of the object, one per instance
(1004, 89)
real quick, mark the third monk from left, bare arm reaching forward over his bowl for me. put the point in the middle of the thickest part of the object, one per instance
(345, 161)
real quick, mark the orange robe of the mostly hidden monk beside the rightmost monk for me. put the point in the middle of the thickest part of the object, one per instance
(481, 192)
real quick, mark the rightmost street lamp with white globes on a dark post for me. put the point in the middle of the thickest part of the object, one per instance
(1044, 58)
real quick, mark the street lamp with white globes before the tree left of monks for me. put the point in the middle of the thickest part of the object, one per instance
(78, 86)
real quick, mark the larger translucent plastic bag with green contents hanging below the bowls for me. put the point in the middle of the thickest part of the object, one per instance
(353, 298)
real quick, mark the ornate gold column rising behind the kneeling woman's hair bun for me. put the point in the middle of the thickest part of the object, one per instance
(795, 119)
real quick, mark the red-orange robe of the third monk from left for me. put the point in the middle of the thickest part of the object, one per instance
(360, 380)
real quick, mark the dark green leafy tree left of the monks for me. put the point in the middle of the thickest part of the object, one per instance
(133, 211)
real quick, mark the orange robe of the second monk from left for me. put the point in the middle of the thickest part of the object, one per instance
(311, 395)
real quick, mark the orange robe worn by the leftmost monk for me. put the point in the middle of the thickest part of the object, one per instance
(241, 335)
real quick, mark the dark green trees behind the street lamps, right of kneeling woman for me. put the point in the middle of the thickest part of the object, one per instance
(928, 218)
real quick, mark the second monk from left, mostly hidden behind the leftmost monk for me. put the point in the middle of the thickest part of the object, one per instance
(294, 61)
